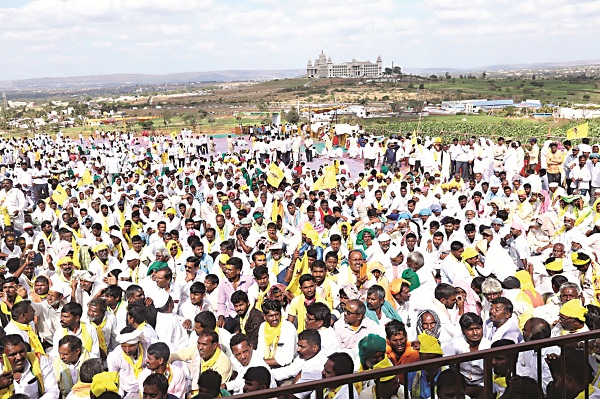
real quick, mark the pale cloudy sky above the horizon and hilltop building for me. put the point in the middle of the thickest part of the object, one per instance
(45, 38)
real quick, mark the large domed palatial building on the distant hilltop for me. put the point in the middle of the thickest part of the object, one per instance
(325, 68)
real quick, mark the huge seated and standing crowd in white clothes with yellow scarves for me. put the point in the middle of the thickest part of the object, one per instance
(154, 266)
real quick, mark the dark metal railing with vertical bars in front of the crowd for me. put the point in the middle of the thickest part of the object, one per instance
(486, 355)
